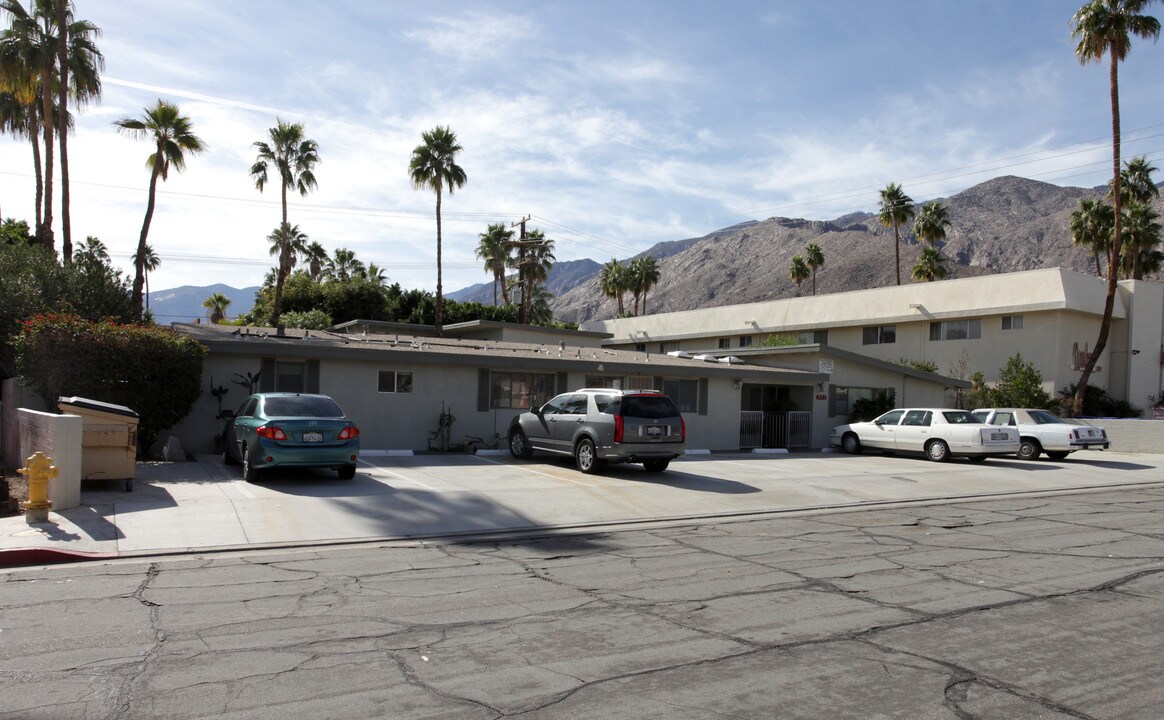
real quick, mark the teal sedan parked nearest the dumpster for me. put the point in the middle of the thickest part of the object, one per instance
(285, 430)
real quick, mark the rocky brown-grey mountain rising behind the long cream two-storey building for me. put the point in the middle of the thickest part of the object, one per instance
(1005, 225)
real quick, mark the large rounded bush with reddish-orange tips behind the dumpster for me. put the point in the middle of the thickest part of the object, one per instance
(148, 369)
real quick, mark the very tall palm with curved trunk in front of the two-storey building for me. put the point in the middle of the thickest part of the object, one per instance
(1104, 27)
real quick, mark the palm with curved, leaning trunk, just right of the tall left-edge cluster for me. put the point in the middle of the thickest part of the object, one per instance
(174, 138)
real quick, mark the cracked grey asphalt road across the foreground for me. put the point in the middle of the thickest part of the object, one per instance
(1045, 607)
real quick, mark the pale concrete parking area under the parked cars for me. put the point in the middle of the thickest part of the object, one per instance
(203, 505)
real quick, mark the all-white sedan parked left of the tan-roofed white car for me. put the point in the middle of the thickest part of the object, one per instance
(939, 433)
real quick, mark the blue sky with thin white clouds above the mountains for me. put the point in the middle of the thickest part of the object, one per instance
(616, 125)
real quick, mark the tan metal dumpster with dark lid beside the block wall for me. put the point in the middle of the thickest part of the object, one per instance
(109, 439)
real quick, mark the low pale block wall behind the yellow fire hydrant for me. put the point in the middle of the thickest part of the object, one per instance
(60, 438)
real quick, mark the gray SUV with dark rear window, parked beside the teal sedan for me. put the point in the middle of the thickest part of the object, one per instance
(597, 426)
